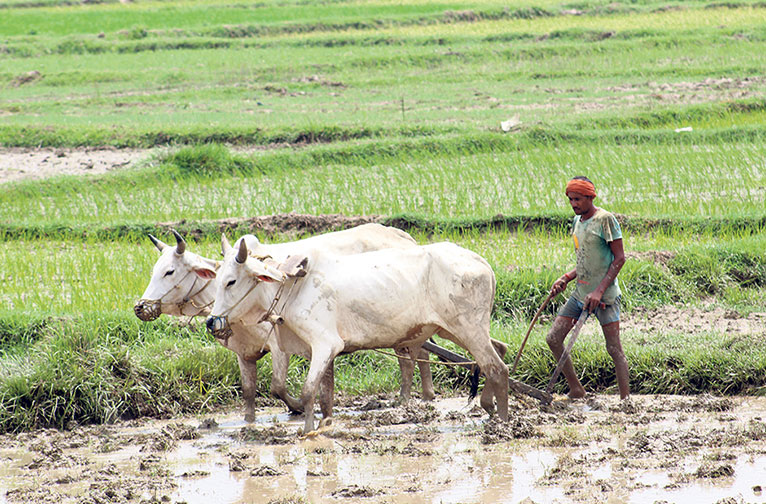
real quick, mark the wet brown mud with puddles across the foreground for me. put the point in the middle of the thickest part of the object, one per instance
(650, 449)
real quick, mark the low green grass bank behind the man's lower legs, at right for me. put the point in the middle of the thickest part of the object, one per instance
(673, 363)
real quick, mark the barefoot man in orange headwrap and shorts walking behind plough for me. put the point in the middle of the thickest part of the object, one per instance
(600, 256)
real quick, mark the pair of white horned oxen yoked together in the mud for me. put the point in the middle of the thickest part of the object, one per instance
(367, 287)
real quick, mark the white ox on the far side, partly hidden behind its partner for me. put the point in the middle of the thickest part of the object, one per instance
(176, 290)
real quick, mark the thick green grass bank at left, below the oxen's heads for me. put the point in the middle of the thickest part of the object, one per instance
(106, 367)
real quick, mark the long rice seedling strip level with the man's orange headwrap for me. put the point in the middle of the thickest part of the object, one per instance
(656, 181)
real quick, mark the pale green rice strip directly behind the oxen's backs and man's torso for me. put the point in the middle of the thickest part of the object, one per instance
(52, 277)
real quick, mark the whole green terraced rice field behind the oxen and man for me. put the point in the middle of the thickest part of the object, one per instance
(457, 121)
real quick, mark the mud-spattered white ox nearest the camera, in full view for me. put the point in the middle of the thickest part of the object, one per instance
(390, 298)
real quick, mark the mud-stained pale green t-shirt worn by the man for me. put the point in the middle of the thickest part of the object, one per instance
(594, 256)
